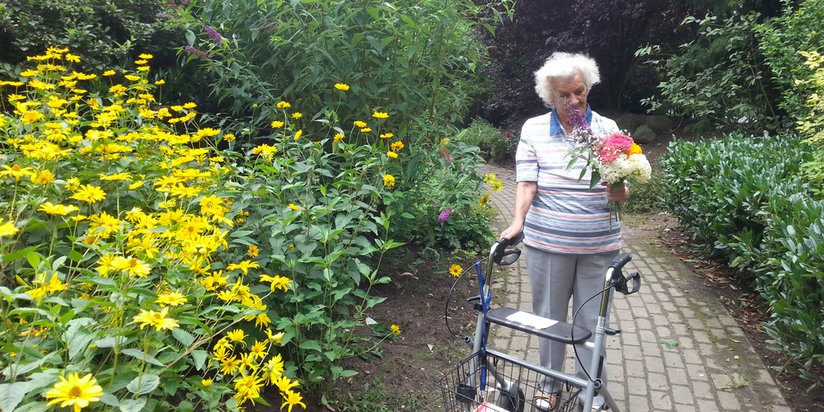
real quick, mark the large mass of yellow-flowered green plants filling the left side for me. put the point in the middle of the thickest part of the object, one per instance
(119, 213)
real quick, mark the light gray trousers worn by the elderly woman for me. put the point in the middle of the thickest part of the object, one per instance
(555, 278)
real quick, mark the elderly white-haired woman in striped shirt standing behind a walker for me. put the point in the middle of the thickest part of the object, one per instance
(568, 235)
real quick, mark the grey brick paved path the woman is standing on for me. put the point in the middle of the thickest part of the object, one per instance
(677, 351)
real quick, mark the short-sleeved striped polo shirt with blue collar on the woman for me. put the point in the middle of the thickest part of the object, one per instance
(566, 216)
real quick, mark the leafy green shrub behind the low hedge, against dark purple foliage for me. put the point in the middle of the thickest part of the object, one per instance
(719, 79)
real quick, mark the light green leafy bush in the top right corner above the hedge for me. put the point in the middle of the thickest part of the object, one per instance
(801, 28)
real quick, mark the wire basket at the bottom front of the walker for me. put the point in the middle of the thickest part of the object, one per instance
(510, 387)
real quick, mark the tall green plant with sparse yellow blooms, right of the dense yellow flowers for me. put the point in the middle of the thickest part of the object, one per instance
(319, 211)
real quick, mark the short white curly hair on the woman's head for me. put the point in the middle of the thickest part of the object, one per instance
(565, 65)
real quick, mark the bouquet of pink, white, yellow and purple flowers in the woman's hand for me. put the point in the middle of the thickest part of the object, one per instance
(613, 159)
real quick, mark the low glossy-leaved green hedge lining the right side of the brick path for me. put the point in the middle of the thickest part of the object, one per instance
(742, 197)
